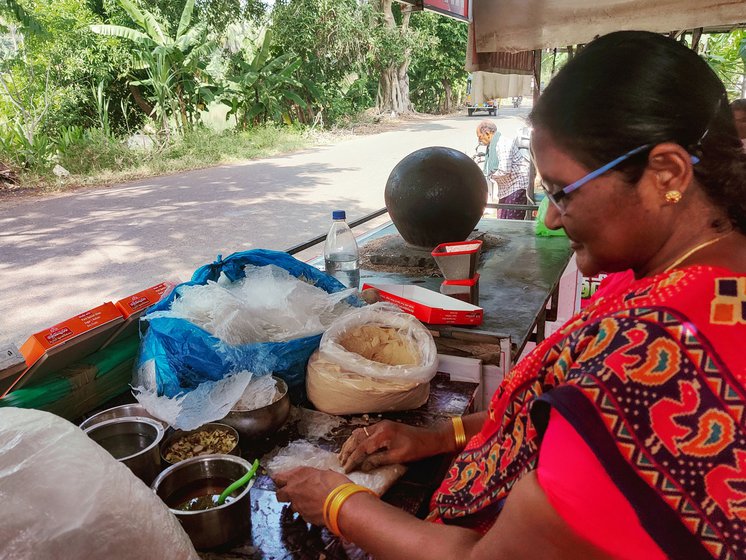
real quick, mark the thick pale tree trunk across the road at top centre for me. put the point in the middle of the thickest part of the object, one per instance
(393, 84)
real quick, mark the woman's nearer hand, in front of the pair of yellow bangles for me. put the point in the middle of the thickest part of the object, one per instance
(306, 489)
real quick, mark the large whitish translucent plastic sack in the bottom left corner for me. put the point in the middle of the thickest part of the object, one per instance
(62, 496)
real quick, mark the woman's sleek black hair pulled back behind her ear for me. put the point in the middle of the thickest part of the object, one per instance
(631, 88)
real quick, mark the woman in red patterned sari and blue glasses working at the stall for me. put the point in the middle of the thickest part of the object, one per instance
(623, 434)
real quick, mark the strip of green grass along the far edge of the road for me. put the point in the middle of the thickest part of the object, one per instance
(98, 160)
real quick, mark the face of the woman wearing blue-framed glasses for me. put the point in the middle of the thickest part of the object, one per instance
(611, 224)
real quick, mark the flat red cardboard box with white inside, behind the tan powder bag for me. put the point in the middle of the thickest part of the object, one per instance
(428, 306)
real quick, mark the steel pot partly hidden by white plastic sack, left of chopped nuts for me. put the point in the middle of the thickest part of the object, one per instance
(133, 441)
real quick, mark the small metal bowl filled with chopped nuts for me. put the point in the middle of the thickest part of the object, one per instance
(209, 439)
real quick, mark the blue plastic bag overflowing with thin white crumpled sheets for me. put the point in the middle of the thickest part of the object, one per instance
(255, 313)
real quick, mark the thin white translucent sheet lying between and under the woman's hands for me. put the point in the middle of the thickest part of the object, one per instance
(301, 453)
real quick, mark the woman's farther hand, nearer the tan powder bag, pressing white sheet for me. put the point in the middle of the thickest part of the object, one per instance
(388, 443)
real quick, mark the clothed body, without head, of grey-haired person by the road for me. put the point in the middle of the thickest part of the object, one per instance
(512, 174)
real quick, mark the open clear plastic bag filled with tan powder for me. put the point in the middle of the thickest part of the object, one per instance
(374, 359)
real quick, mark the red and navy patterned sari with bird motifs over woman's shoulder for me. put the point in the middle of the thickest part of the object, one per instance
(653, 379)
